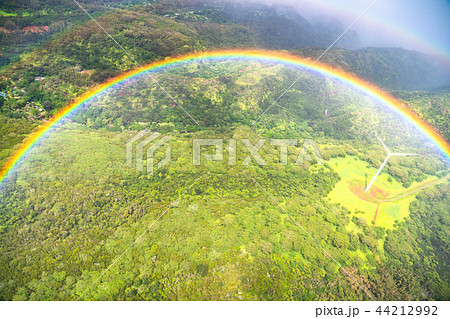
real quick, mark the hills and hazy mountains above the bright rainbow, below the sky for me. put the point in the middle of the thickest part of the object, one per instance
(165, 28)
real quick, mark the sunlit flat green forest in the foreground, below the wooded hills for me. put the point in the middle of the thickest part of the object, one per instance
(75, 207)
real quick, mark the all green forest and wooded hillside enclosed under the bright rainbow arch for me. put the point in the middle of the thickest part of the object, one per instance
(74, 206)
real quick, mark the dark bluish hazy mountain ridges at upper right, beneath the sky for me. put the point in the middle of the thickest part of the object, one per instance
(279, 27)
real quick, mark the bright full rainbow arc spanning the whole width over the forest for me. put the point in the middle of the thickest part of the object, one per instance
(270, 56)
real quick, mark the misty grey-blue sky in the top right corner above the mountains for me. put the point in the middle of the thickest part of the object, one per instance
(422, 25)
